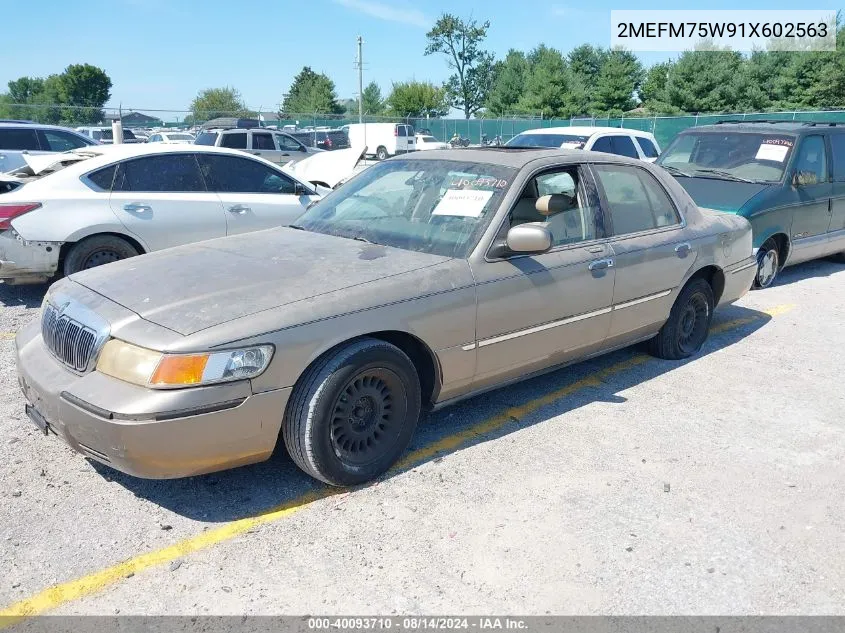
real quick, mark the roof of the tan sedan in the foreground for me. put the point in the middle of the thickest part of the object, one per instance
(516, 156)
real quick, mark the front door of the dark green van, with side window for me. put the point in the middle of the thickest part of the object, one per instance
(810, 199)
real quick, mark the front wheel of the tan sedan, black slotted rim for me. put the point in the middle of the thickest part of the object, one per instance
(353, 412)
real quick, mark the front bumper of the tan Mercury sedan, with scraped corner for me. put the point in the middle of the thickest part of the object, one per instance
(156, 434)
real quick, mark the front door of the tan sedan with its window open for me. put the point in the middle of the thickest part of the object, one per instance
(535, 311)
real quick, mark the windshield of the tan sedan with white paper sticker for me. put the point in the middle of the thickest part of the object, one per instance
(431, 206)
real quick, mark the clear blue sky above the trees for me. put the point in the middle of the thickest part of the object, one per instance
(160, 53)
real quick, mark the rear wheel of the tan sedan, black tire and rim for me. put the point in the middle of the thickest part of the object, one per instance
(685, 331)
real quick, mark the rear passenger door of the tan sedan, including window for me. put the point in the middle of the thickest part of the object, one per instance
(651, 253)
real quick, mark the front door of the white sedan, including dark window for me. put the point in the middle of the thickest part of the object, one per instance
(255, 196)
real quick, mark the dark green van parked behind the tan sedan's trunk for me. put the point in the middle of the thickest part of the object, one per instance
(787, 178)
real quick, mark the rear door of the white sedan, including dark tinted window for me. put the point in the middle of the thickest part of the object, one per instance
(163, 200)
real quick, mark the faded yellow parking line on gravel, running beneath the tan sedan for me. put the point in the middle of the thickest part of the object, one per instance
(53, 597)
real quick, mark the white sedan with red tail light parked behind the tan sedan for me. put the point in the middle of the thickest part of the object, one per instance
(95, 205)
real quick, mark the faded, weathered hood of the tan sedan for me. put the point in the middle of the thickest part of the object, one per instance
(192, 287)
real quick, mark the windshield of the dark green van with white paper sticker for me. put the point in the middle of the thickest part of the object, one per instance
(738, 155)
